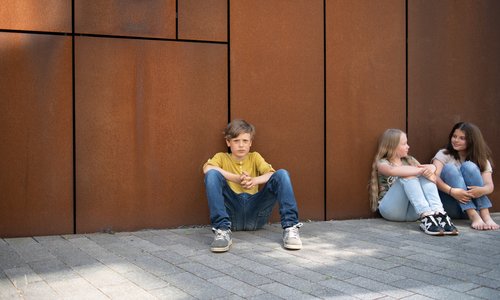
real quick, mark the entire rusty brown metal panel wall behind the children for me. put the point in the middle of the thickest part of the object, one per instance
(320, 79)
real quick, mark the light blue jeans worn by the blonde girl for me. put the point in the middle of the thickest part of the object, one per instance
(408, 198)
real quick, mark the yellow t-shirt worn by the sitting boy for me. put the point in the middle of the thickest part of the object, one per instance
(254, 164)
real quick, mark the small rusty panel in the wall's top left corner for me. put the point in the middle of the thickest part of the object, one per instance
(36, 15)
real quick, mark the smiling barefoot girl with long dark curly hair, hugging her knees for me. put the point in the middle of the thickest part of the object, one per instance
(464, 177)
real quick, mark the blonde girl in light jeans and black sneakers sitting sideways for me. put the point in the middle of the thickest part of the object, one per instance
(404, 190)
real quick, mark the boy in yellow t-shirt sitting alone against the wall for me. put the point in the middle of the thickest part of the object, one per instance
(232, 184)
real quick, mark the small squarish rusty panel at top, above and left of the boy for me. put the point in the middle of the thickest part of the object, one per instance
(203, 20)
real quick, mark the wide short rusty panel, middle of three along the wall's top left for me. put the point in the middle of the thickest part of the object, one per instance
(146, 18)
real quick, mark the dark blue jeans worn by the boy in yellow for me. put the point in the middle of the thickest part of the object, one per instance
(246, 211)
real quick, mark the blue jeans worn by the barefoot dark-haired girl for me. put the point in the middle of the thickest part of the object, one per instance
(467, 174)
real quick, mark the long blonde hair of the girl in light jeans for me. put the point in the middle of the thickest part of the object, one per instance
(387, 145)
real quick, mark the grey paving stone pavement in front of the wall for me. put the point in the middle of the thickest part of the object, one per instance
(353, 259)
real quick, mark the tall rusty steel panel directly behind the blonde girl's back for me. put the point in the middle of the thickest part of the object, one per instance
(365, 84)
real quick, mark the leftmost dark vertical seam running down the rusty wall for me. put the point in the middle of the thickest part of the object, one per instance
(73, 108)
